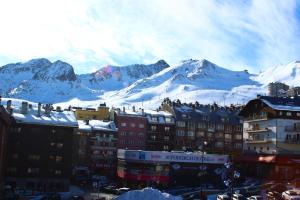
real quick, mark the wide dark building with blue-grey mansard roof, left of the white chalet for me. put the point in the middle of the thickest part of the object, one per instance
(208, 128)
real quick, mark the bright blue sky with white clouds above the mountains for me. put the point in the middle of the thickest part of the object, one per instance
(89, 34)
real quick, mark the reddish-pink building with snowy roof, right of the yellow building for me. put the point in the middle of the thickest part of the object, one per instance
(132, 129)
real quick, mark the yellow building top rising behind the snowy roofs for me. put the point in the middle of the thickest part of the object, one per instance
(101, 113)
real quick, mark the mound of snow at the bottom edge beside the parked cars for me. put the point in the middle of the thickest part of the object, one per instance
(147, 194)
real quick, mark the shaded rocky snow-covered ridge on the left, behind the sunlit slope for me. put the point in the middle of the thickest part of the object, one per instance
(41, 80)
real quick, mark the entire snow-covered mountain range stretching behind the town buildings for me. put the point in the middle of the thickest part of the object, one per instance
(142, 85)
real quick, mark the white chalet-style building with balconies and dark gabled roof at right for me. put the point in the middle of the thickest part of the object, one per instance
(272, 134)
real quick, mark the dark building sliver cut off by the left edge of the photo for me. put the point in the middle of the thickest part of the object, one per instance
(4, 127)
